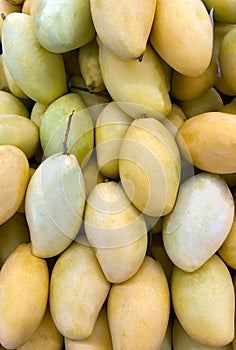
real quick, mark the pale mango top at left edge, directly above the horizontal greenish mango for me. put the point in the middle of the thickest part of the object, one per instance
(10, 104)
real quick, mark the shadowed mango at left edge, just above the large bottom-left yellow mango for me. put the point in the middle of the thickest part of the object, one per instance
(12, 233)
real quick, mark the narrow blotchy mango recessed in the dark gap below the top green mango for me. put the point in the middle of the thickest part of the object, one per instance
(90, 68)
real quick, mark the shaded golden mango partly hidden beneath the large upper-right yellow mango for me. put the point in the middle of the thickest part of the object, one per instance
(188, 88)
